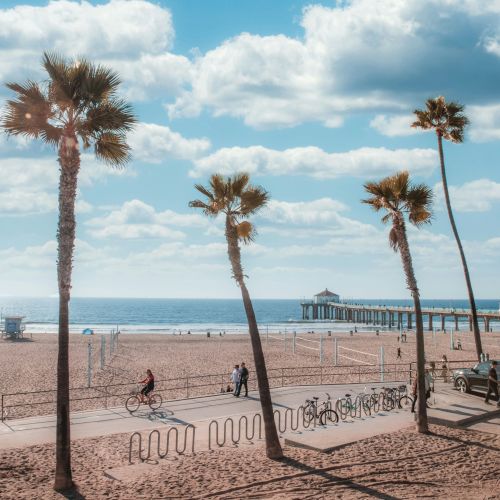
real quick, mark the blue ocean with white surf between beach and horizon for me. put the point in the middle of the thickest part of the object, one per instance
(194, 315)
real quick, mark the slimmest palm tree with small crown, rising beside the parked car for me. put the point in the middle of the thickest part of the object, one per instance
(449, 122)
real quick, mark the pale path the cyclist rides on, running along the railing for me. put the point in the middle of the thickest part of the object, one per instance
(103, 422)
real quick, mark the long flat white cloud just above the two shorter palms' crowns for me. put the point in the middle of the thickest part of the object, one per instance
(313, 161)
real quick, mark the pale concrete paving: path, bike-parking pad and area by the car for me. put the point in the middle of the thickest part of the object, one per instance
(448, 407)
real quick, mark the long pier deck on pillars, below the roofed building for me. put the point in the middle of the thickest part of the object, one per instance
(393, 316)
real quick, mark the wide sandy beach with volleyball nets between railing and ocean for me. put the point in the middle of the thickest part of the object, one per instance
(207, 362)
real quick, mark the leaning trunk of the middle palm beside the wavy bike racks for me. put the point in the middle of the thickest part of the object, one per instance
(273, 446)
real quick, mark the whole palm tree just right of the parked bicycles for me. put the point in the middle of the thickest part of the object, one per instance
(398, 197)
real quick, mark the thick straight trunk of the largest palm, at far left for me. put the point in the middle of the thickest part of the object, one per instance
(69, 162)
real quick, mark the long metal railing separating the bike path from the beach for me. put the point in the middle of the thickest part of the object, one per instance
(35, 403)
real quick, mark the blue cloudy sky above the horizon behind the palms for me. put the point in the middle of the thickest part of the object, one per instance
(312, 99)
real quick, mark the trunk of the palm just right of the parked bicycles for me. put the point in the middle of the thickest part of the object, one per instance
(404, 250)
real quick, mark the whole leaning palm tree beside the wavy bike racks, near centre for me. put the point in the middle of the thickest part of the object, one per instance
(237, 199)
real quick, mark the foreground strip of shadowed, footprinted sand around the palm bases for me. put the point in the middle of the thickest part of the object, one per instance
(448, 463)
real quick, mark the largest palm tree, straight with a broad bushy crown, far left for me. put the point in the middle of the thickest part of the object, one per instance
(76, 106)
